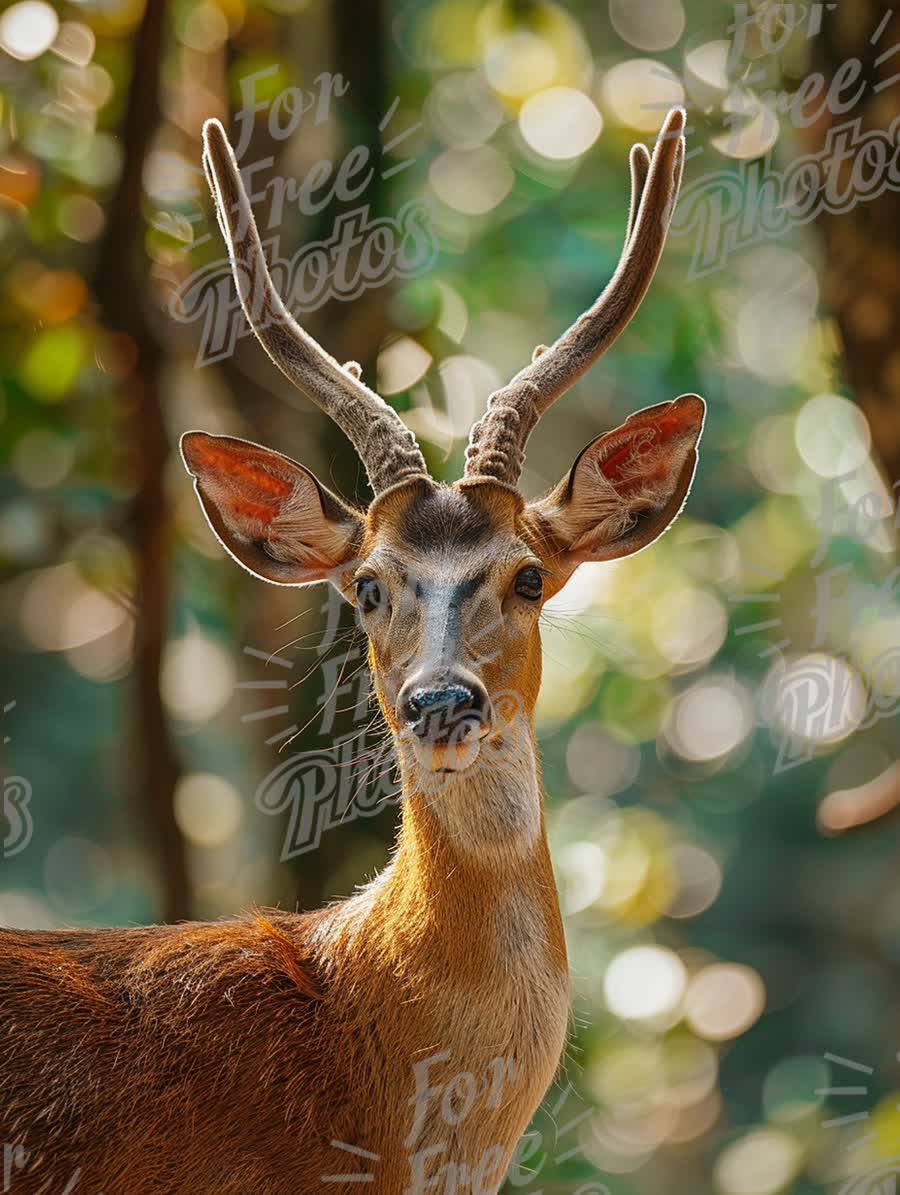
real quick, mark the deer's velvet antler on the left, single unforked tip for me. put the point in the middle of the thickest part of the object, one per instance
(387, 448)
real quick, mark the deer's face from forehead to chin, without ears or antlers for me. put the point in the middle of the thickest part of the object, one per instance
(450, 593)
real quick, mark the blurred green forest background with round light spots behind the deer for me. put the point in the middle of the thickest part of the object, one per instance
(732, 961)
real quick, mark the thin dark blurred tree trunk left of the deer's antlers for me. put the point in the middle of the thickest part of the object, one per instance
(120, 289)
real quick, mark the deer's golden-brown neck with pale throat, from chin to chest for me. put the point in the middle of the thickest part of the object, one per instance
(469, 896)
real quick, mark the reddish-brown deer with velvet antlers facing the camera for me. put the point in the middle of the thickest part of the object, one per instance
(406, 1037)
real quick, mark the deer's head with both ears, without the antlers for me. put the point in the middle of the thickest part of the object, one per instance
(450, 581)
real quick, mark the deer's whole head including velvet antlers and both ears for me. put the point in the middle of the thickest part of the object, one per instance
(450, 580)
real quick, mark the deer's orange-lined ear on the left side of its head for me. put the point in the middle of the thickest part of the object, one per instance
(271, 513)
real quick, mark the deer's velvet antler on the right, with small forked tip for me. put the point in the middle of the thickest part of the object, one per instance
(497, 444)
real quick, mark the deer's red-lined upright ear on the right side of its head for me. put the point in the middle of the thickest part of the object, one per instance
(626, 488)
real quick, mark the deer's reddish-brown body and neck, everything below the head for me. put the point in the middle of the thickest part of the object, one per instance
(449, 966)
